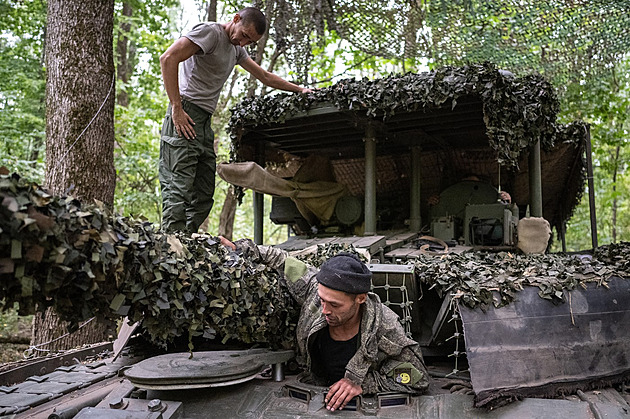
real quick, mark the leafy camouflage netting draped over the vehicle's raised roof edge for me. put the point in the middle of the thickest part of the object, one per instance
(518, 111)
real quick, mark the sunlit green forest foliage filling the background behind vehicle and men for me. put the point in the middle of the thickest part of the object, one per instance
(581, 46)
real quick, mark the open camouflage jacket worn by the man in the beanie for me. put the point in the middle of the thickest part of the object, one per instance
(386, 360)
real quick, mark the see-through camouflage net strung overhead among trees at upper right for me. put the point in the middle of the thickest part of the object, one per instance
(562, 40)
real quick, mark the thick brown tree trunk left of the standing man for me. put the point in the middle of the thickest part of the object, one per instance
(80, 95)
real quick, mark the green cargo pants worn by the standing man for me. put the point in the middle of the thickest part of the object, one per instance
(186, 172)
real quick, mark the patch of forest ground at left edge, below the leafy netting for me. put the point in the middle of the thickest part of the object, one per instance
(15, 333)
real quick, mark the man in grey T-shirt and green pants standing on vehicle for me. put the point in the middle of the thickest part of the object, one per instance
(187, 164)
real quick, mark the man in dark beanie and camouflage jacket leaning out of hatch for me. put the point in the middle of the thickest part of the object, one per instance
(346, 337)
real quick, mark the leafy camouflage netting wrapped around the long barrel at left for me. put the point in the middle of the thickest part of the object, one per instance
(85, 262)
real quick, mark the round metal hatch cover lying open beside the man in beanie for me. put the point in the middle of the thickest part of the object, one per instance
(204, 369)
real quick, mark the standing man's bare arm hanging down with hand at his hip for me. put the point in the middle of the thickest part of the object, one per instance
(181, 50)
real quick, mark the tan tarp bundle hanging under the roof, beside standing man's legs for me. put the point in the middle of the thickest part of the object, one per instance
(315, 200)
